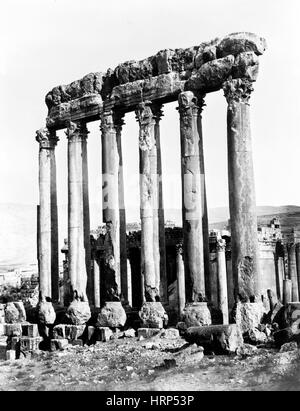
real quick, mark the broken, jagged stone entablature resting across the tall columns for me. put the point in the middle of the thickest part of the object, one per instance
(160, 78)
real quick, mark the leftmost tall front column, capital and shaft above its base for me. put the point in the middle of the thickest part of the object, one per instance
(47, 235)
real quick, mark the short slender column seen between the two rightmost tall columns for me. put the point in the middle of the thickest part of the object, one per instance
(222, 280)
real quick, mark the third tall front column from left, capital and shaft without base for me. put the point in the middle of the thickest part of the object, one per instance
(110, 205)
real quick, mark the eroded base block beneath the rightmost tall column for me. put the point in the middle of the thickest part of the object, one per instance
(249, 315)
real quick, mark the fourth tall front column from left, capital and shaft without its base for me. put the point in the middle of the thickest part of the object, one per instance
(148, 197)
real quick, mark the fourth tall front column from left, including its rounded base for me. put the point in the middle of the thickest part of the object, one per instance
(152, 312)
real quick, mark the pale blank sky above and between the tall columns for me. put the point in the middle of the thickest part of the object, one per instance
(44, 43)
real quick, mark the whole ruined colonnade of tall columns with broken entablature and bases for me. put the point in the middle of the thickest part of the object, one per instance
(229, 64)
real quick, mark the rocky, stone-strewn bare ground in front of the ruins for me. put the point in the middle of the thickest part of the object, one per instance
(152, 364)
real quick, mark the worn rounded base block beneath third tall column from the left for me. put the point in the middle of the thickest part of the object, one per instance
(112, 315)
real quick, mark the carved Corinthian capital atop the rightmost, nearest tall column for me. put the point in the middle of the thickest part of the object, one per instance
(237, 90)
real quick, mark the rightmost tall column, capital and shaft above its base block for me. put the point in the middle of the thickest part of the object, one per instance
(243, 220)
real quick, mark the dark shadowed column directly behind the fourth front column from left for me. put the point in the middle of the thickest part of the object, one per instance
(161, 267)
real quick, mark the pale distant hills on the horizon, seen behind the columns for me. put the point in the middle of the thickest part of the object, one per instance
(18, 226)
